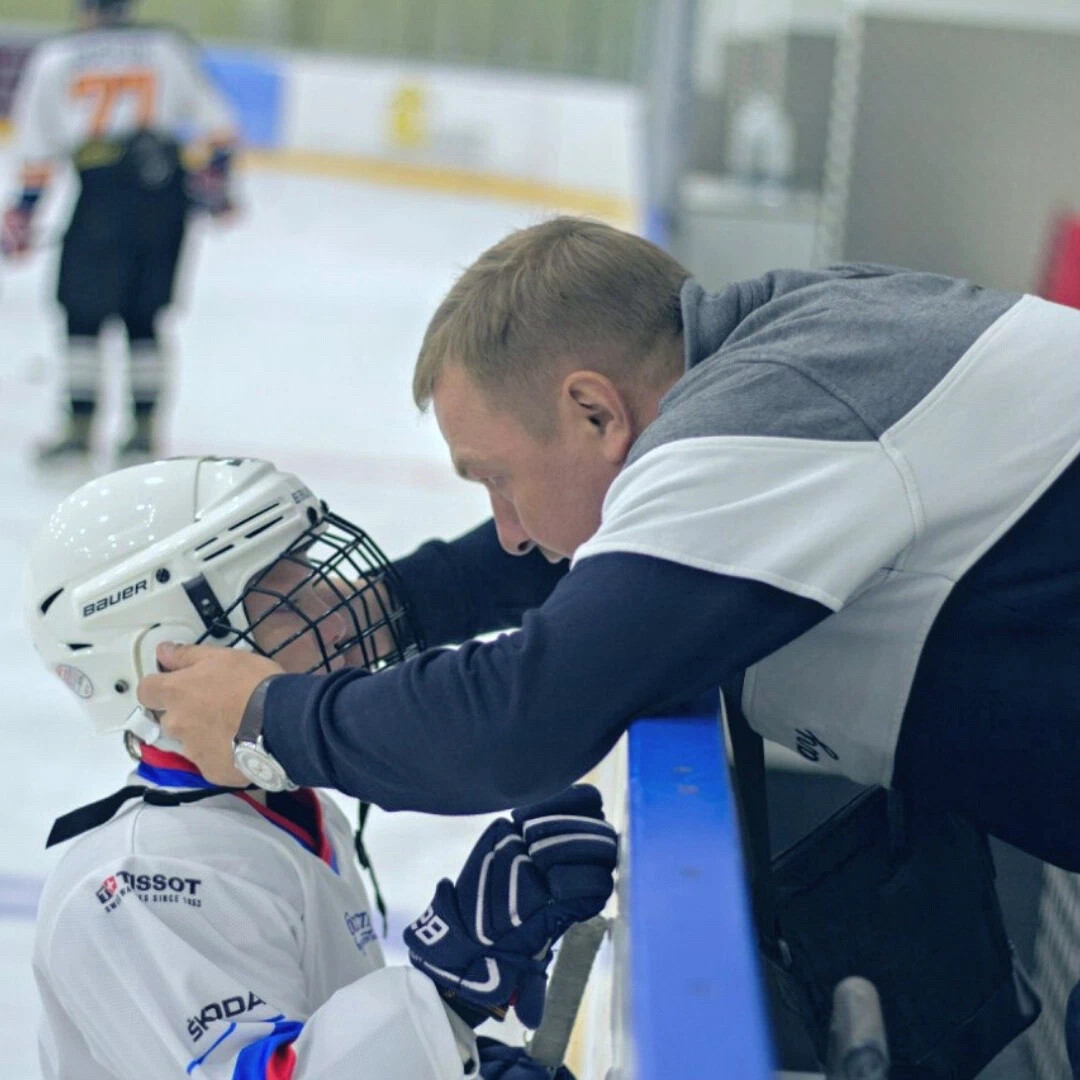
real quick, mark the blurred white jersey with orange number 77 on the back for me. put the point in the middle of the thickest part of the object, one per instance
(111, 83)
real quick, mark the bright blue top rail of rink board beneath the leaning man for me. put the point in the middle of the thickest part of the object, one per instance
(696, 998)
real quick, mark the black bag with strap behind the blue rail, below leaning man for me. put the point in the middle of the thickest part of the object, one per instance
(898, 894)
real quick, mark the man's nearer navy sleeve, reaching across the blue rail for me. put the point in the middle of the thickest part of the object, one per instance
(498, 724)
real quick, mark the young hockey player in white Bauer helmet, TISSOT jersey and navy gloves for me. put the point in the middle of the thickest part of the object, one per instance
(194, 930)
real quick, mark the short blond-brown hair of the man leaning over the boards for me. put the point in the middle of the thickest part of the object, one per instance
(568, 291)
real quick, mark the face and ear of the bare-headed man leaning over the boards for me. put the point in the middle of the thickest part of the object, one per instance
(546, 493)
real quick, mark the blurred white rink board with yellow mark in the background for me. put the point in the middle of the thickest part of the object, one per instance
(572, 133)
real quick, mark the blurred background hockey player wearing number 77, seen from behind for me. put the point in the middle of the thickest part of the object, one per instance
(116, 100)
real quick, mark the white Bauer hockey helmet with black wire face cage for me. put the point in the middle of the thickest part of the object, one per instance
(168, 551)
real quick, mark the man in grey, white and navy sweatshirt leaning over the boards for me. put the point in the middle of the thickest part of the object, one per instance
(850, 497)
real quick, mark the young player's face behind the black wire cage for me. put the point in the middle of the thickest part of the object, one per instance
(271, 631)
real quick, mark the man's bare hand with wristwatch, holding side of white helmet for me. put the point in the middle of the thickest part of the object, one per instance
(202, 698)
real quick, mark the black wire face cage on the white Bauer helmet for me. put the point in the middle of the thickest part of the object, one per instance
(354, 582)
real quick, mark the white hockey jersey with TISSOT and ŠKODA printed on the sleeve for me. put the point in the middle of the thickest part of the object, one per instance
(224, 939)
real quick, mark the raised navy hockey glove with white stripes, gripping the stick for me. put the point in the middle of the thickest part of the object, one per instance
(487, 939)
